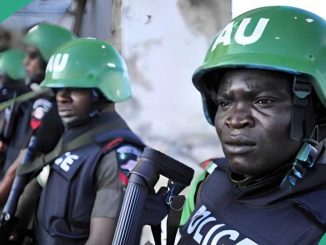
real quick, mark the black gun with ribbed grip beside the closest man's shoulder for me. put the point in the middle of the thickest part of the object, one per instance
(141, 205)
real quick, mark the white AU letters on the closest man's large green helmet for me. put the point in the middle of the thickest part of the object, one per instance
(224, 36)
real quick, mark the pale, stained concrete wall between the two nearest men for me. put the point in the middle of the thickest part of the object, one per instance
(163, 43)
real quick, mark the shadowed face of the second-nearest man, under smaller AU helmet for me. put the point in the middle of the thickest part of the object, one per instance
(73, 104)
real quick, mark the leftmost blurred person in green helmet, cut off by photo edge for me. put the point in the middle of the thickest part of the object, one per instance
(12, 85)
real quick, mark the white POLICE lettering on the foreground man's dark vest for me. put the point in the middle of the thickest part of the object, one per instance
(205, 229)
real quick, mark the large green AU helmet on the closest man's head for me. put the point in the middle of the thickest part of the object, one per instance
(280, 38)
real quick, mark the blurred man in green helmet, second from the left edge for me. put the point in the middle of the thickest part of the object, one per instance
(40, 42)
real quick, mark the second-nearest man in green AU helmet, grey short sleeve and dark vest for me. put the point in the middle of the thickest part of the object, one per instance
(87, 173)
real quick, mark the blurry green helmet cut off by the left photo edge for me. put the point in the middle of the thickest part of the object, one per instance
(11, 64)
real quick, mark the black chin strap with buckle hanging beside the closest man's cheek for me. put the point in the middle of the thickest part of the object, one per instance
(304, 128)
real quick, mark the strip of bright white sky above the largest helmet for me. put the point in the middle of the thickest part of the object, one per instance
(316, 6)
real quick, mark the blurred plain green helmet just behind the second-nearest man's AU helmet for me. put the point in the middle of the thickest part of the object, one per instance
(47, 38)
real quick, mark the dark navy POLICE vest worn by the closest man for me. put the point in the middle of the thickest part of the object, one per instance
(221, 218)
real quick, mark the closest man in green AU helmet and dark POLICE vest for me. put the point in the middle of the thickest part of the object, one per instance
(263, 86)
